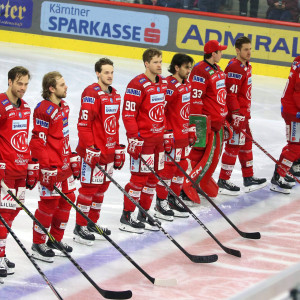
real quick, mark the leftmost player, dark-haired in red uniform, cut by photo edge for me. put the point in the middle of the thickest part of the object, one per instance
(16, 168)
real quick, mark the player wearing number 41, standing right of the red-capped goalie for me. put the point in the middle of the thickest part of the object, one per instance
(239, 85)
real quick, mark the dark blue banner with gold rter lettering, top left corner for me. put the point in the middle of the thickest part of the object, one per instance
(16, 13)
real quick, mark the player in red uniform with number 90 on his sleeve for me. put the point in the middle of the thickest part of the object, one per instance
(143, 117)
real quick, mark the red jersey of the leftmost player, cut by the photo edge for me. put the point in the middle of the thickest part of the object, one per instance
(14, 129)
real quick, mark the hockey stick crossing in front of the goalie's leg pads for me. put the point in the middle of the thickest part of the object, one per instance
(248, 235)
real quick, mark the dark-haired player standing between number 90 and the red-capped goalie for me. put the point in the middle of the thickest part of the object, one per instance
(177, 111)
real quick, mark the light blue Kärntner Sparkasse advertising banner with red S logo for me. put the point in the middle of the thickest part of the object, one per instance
(105, 23)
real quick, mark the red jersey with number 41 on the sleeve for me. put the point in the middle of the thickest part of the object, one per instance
(239, 86)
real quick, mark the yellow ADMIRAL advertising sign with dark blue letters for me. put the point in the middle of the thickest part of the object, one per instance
(267, 43)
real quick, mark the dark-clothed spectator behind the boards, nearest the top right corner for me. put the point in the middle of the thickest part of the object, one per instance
(283, 10)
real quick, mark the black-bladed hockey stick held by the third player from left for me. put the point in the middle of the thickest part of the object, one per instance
(193, 258)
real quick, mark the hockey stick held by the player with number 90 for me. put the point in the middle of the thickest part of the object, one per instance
(227, 250)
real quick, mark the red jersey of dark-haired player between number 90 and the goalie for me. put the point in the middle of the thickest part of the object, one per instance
(177, 110)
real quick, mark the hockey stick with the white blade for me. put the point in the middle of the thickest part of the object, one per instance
(160, 282)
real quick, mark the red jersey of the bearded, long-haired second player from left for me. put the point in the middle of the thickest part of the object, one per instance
(50, 137)
